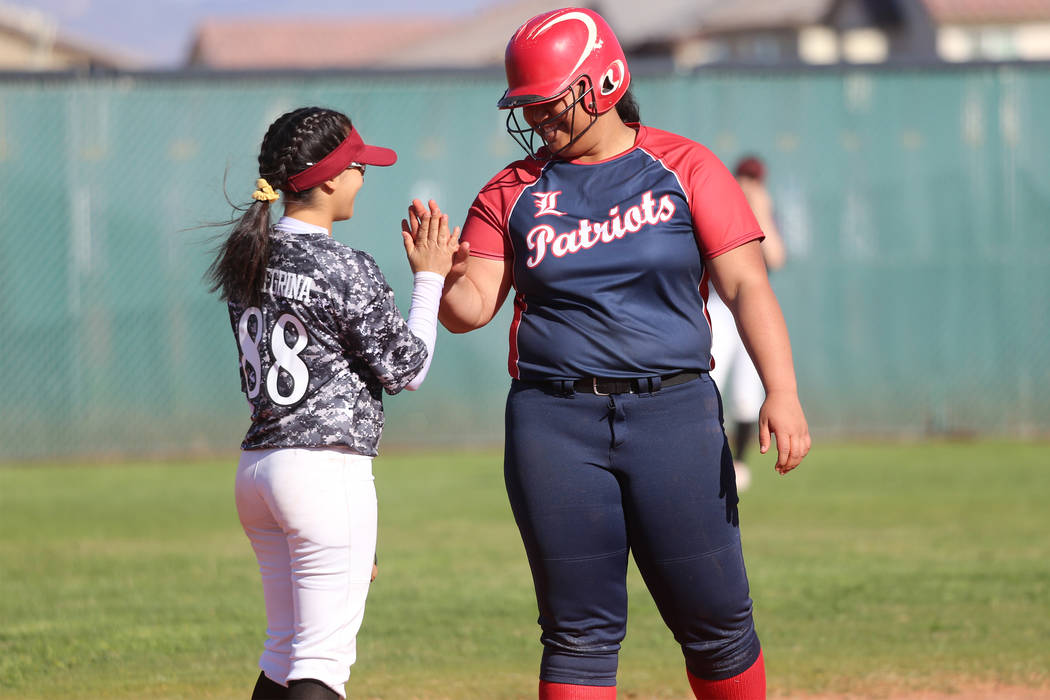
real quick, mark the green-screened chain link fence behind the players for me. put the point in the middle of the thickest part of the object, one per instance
(915, 205)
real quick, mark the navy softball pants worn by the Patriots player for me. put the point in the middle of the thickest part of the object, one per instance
(592, 478)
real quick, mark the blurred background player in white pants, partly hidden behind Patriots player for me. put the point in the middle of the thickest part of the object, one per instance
(734, 372)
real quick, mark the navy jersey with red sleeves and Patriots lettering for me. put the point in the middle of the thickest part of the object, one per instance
(610, 258)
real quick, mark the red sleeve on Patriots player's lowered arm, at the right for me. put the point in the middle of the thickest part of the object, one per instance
(722, 218)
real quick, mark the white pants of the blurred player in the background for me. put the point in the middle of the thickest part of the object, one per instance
(734, 374)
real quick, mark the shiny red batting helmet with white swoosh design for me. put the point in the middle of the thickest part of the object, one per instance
(555, 51)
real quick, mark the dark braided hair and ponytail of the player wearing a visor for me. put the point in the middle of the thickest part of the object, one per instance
(295, 140)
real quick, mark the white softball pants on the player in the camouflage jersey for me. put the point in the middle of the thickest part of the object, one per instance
(310, 515)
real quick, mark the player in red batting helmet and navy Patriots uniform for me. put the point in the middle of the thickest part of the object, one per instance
(611, 234)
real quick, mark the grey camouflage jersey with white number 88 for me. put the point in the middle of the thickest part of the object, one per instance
(318, 352)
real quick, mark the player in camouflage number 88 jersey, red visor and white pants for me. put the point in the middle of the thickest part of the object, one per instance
(320, 341)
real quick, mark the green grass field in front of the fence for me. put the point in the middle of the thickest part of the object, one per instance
(872, 567)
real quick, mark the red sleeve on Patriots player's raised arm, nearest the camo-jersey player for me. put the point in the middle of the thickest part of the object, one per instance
(486, 228)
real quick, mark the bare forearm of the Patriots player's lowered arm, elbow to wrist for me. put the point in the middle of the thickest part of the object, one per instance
(763, 329)
